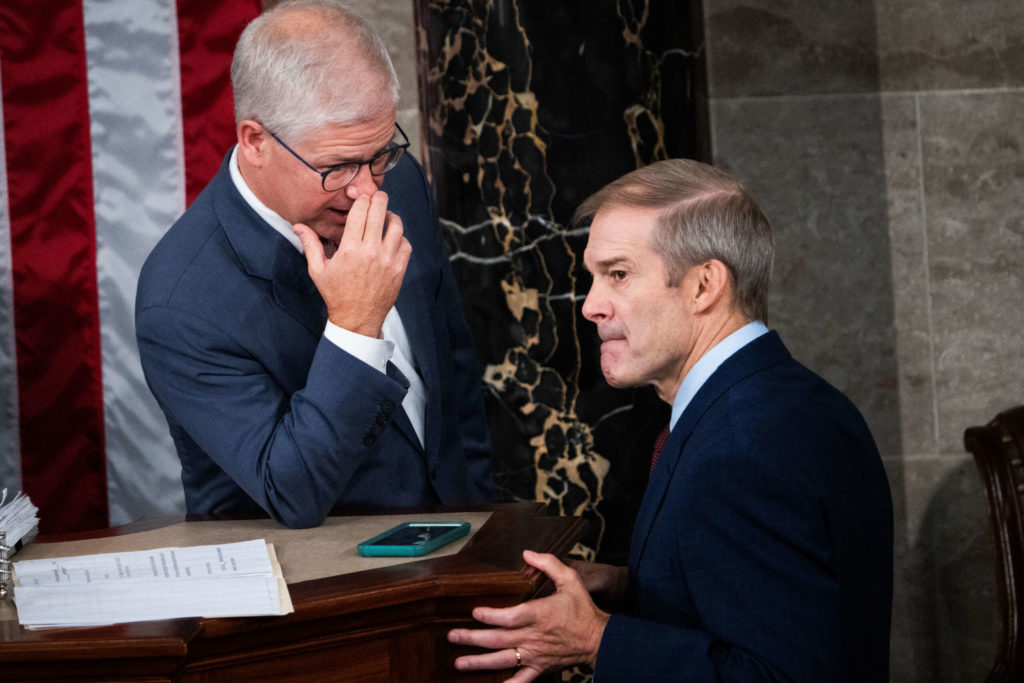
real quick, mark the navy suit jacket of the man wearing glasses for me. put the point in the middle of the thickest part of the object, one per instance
(267, 413)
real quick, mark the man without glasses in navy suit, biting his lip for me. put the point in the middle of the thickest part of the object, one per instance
(763, 546)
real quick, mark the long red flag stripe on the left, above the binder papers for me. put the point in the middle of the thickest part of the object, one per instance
(54, 262)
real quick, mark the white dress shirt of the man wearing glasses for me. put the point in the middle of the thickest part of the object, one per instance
(394, 346)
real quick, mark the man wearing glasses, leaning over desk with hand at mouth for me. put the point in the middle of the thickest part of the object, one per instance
(301, 325)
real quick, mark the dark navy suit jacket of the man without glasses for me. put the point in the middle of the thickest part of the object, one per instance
(763, 546)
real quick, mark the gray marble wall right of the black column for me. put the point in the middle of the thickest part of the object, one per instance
(885, 141)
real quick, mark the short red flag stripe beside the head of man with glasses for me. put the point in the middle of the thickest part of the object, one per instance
(207, 33)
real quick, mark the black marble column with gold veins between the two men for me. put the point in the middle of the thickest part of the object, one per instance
(530, 107)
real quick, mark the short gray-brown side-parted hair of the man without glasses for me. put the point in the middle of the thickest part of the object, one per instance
(704, 215)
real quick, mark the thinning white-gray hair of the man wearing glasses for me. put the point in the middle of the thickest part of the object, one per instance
(320, 69)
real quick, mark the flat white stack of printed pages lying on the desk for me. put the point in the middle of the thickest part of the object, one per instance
(231, 580)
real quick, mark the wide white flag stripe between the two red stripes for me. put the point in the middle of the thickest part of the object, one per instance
(139, 183)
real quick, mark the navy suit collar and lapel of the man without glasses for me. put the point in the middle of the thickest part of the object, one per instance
(764, 352)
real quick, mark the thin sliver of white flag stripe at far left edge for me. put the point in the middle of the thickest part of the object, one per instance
(11, 461)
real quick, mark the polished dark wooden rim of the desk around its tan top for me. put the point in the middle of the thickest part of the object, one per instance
(491, 566)
